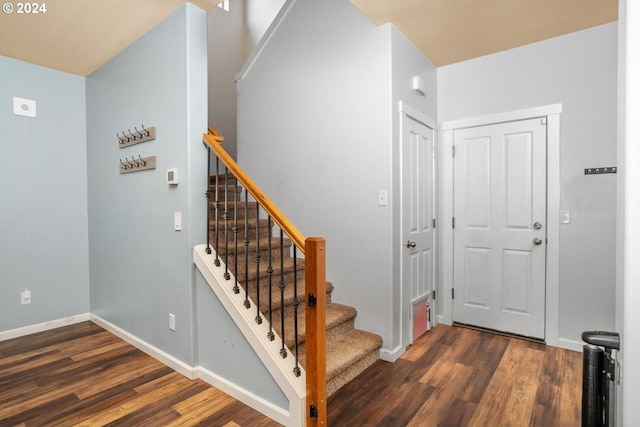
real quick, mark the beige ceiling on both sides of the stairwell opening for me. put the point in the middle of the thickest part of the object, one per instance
(78, 36)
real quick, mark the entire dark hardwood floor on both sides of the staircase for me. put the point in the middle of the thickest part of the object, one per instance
(83, 375)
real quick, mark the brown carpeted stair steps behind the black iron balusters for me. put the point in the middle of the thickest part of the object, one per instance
(349, 350)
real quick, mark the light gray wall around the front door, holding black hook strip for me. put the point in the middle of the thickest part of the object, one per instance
(579, 71)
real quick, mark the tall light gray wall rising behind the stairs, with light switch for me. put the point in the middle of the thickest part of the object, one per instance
(317, 130)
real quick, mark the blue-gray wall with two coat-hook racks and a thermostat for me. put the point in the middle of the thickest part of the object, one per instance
(141, 269)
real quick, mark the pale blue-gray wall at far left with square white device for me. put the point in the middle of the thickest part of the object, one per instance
(43, 212)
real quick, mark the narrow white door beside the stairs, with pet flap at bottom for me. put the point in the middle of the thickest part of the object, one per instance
(418, 264)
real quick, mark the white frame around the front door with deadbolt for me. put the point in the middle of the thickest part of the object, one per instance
(444, 282)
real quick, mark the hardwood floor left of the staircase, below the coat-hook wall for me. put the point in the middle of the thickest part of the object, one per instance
(82, 375)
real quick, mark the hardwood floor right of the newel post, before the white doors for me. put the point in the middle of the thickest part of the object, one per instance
(454, 376)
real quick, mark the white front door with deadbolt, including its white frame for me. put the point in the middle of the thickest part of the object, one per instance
(514, 298)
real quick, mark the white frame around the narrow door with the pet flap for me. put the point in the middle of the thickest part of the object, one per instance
(406, 324)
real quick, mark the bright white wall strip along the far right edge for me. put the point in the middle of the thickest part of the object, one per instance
(629, 232)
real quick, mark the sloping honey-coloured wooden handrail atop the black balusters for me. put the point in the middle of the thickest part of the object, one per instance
(213, 140)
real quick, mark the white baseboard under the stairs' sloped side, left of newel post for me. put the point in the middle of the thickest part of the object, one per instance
(256, 402)
